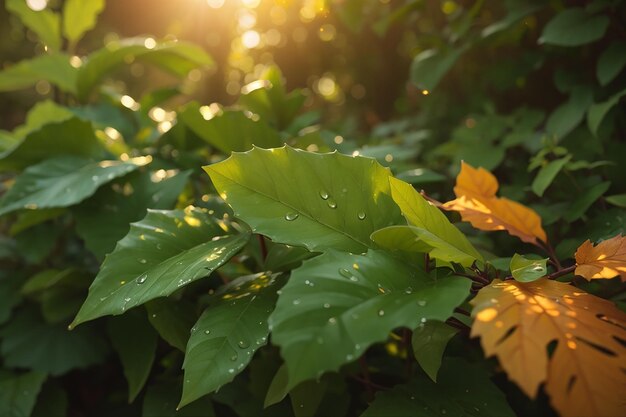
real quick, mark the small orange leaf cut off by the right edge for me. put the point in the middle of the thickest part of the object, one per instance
(606, 260)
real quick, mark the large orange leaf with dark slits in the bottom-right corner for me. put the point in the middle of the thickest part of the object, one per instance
(584, 375)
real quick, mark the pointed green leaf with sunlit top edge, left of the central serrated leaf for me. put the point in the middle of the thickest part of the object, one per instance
(160, 254)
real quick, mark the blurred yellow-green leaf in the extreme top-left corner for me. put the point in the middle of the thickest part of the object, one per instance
(45, 23)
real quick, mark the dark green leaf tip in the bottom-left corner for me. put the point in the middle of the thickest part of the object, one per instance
(18, 392)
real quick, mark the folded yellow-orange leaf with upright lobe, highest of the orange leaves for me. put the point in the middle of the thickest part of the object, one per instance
(478, 204)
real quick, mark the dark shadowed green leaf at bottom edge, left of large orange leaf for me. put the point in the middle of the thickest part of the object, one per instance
(463, 389)
